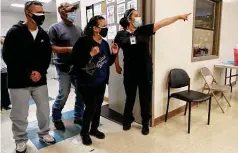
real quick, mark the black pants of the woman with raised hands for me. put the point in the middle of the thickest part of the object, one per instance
(93, 97)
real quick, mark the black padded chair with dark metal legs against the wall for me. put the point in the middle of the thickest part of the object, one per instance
(179, 78)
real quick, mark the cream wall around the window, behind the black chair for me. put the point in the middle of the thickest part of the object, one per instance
(173, 46)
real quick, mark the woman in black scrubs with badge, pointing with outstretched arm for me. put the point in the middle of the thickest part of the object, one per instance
(134, 41)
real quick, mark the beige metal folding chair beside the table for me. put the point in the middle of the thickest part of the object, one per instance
(214, 88)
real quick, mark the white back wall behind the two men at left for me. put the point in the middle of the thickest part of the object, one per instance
(8, 19)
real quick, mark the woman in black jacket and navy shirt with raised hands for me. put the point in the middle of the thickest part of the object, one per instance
(91, 58)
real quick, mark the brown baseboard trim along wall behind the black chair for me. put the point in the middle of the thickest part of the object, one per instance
(171, 114)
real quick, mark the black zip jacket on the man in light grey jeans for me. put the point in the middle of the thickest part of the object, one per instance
(22, 55)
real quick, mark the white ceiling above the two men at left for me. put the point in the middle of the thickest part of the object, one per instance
(50, 8)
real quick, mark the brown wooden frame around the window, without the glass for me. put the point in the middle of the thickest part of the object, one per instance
(216, 36)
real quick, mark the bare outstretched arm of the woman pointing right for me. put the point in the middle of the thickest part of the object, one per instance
(168, 21)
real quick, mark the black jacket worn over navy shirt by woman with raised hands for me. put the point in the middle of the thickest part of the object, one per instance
(84, 66)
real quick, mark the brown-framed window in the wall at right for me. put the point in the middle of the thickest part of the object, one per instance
(206, 31)
